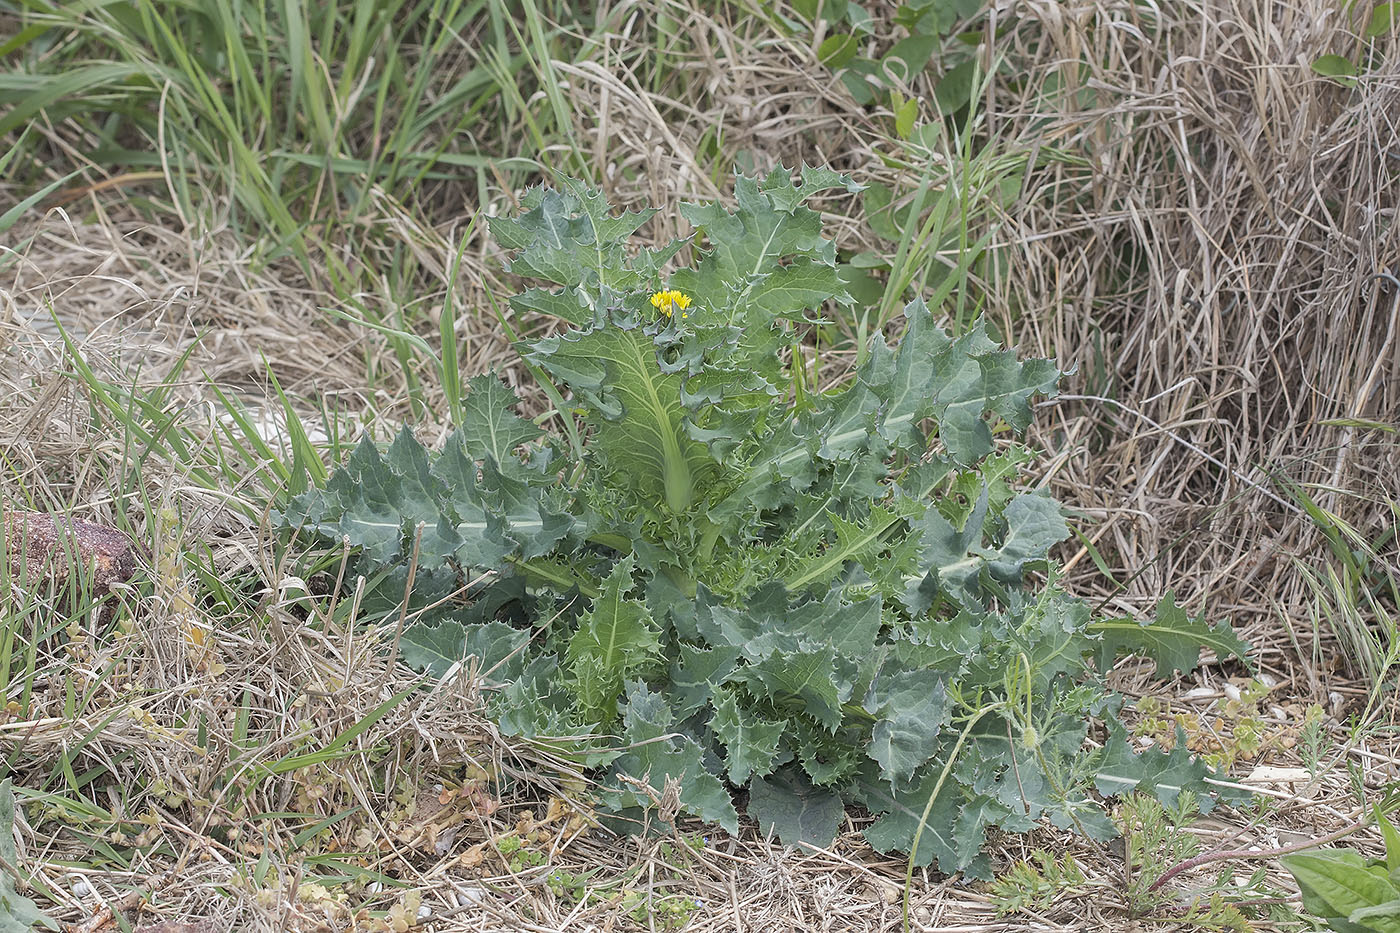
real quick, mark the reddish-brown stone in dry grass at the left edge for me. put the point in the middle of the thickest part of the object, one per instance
(43, 550)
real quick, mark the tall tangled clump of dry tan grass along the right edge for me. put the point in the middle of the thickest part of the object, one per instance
(1212, 239)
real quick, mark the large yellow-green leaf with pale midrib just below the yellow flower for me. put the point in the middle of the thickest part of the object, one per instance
(636, 410)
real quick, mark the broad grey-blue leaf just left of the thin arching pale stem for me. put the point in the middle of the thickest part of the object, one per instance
(911, 708)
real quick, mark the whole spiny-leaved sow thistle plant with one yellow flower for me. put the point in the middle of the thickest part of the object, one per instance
(719, 574)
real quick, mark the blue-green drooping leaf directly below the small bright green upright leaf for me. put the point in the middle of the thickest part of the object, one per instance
(654, 753)
